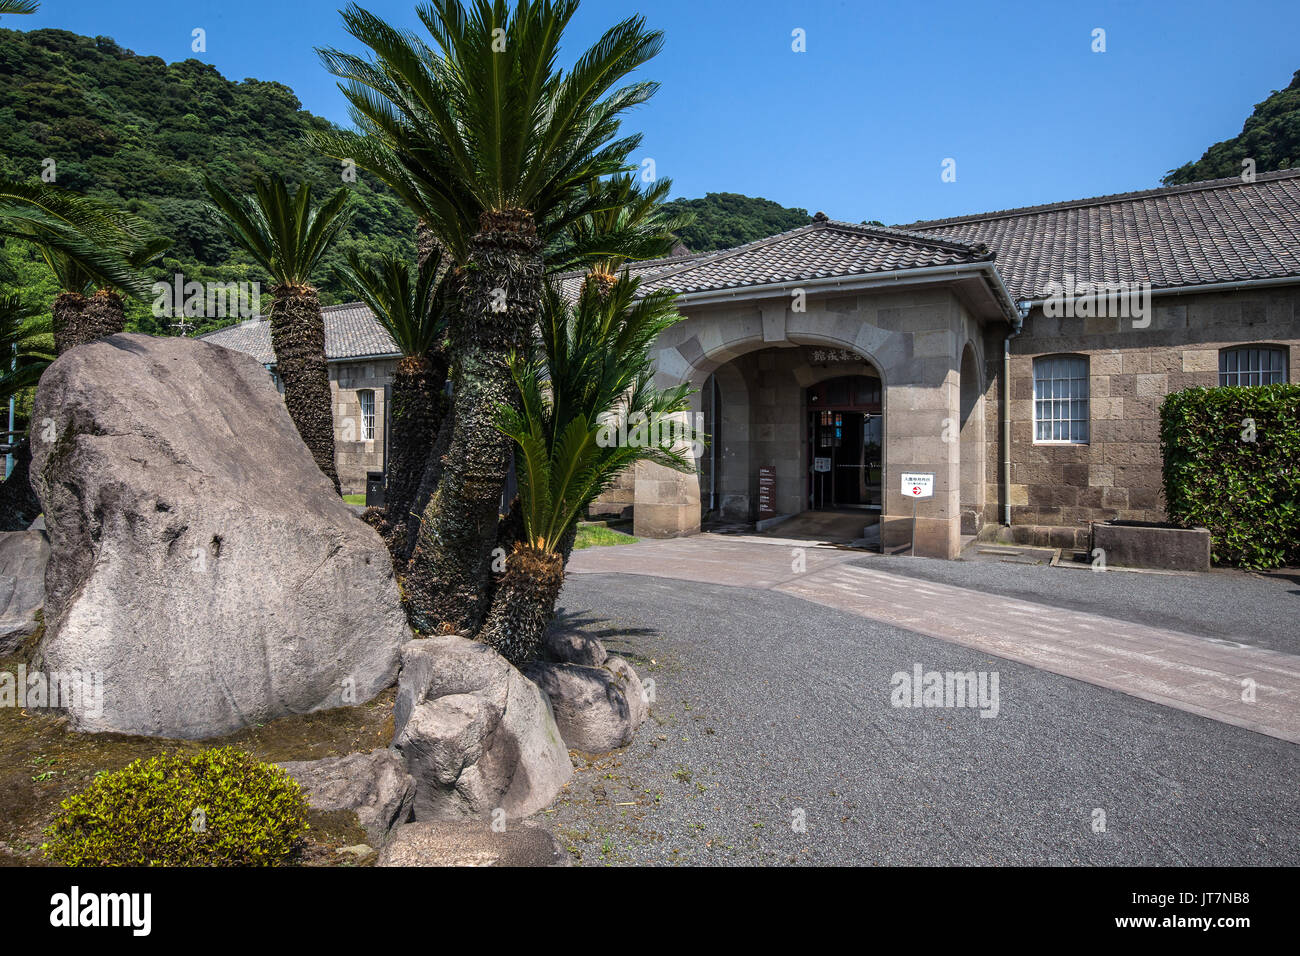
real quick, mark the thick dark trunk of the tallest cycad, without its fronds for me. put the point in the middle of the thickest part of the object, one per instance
(447, 583)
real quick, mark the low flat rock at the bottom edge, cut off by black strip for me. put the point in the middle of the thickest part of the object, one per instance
(471, 843)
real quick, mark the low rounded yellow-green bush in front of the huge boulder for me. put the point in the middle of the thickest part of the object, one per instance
(214, 808)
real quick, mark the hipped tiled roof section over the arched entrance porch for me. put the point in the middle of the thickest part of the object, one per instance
(825, 249)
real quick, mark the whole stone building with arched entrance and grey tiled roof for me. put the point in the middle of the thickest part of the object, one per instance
(1019, 358)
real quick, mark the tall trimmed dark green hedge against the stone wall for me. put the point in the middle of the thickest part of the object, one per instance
(1233, 465)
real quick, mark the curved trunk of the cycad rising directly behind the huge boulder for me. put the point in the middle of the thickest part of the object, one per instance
(298, 339)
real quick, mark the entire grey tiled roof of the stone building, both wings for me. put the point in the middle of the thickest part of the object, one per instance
(1221, 231)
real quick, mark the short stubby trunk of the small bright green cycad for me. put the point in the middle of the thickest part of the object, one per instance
(525, 604)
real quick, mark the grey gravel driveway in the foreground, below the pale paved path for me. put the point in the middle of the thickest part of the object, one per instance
(772, 711)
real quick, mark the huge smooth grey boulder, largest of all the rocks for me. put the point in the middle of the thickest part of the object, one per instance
(200, 560)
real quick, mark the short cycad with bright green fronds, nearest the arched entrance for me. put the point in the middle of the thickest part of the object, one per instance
(590, 410)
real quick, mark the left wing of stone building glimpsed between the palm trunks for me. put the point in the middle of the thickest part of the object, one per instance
(362, 361)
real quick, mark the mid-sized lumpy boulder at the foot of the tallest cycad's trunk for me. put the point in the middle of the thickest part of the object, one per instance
(478, 737)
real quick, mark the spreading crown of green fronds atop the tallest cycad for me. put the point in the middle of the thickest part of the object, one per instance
(480, 118)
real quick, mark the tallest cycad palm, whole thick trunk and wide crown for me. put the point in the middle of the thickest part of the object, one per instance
(495, 146)
